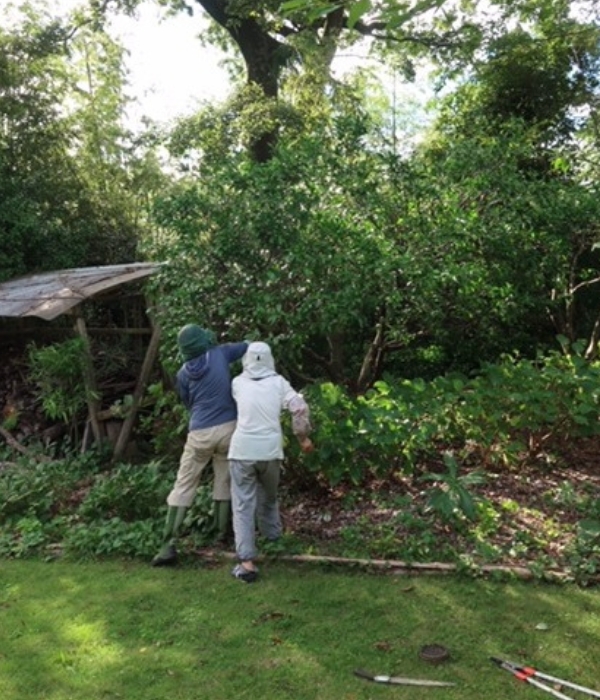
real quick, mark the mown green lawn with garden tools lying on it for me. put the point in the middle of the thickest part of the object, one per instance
(122, 630)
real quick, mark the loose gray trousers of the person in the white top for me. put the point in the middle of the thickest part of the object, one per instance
(254, 502)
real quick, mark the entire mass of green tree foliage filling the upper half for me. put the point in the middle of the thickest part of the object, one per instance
(289, 210)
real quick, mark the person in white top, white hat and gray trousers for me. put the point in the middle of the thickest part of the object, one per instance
(256, 451)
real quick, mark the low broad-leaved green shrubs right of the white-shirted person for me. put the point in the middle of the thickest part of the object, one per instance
(505, 415)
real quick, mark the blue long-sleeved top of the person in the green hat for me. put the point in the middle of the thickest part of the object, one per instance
(204, 386)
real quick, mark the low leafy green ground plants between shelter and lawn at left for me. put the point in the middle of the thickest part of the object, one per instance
(73, 504)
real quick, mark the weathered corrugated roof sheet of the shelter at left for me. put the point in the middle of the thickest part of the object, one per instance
(50, 294)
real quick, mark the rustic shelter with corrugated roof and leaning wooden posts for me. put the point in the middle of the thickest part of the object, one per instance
(49, 295)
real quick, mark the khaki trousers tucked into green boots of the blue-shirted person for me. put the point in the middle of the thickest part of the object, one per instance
(201, 447)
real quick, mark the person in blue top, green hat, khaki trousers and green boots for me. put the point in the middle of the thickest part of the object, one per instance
(204, 386)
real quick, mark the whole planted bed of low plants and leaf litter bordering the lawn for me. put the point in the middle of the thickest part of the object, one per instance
(467, 473)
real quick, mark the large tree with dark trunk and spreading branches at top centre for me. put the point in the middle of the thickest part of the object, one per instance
(273, 37)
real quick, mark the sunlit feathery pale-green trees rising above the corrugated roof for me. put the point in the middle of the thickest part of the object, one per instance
(67, 166)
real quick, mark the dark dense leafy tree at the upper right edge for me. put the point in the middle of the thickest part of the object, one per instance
(535, 91)
